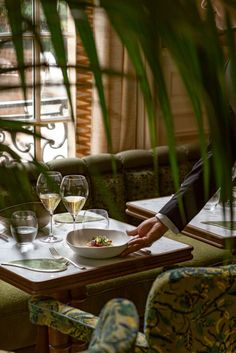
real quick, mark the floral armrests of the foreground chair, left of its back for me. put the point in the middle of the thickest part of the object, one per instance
(114, 331)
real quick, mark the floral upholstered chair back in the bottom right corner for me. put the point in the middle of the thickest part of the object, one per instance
(193, 310)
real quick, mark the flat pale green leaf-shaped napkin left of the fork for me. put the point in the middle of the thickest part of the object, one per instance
(39, 265)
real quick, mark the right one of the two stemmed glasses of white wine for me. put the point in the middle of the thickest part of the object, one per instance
(74, 192)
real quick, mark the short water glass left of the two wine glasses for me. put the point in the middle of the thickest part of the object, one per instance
(24, 227)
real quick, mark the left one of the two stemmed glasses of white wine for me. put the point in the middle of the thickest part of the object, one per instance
(48, 189)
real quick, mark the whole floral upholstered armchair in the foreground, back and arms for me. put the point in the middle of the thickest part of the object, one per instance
(188, 310)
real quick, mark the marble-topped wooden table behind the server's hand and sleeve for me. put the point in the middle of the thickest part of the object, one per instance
(207, 226)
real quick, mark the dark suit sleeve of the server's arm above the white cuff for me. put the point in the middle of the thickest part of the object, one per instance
(192, 194)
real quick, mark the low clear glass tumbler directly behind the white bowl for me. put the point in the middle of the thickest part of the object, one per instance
(95, 218)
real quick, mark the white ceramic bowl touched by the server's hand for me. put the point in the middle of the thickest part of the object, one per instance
(78, 240)
